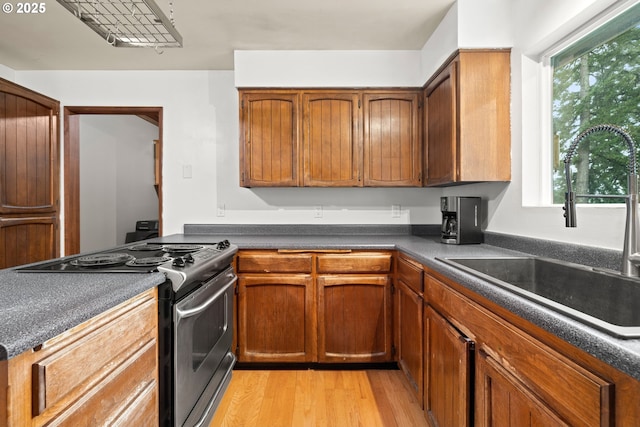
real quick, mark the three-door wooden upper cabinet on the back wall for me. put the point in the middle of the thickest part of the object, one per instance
(348, 138)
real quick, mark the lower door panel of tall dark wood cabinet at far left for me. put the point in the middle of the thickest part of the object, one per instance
(27, 239)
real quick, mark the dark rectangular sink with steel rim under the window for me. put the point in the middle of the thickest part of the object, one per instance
(606, 300)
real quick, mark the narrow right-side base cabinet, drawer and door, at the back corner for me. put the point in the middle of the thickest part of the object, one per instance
(408, 325)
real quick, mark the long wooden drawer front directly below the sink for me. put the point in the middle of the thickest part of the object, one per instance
(577, 395)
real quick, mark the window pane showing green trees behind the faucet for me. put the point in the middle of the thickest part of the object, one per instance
(596, 81)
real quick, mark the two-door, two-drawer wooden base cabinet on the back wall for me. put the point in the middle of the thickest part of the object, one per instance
(315, 306)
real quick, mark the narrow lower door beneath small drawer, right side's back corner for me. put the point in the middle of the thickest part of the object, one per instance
(409, 317)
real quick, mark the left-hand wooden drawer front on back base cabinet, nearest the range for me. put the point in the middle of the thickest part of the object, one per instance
(273, 262)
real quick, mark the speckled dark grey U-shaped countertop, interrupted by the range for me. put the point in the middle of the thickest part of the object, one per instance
(36, 306)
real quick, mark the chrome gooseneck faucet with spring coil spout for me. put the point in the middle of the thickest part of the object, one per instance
(630, 255)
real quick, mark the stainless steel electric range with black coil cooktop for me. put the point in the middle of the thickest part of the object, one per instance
(195, 319)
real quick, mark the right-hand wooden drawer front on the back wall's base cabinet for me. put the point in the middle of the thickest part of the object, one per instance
(372, 262)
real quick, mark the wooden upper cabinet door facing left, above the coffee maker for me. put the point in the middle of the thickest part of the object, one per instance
(441, 118)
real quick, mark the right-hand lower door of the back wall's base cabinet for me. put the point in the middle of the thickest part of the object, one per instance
(354, 318)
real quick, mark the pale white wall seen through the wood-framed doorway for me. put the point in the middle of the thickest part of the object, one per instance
(116, 178)
